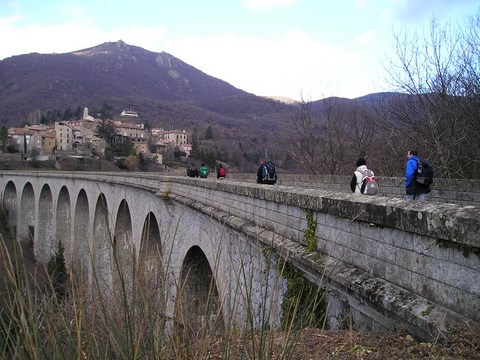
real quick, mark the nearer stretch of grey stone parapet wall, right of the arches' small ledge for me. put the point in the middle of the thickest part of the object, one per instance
(420, 260)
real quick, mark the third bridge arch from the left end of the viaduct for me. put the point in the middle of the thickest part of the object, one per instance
(45, 247)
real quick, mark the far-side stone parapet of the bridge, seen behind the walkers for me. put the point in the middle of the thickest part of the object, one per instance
(455, 191)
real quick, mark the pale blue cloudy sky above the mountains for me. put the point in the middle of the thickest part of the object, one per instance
(300, 49)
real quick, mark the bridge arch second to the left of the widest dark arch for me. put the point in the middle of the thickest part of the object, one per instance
(124, 251)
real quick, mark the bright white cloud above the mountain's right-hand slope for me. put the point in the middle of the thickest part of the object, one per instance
(294, 64)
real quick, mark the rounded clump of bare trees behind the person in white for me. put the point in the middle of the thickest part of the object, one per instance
(328, 138)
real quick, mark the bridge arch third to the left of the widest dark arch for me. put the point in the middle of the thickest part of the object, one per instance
(101, 246)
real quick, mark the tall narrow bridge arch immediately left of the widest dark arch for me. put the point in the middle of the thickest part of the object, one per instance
(151, 272)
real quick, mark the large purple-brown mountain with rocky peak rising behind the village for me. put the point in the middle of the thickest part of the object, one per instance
(160, 87)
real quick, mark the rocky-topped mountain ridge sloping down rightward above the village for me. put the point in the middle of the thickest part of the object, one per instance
(103, 73)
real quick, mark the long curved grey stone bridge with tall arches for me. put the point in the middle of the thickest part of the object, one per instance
(383, 264)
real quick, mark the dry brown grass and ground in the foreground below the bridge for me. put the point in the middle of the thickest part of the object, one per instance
(39, 327)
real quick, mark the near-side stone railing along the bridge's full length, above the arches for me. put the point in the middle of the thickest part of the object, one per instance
(387, 264)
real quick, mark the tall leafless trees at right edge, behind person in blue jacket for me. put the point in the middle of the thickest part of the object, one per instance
(439, 70)
